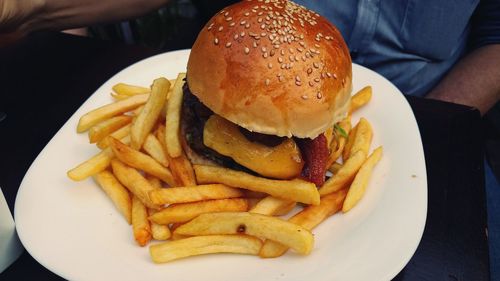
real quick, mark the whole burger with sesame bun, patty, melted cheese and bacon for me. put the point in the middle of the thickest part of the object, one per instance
(266, 83)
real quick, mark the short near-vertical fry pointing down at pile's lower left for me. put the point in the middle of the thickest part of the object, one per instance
(140, 223)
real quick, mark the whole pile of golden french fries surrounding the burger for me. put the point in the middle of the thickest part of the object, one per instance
(201, 209)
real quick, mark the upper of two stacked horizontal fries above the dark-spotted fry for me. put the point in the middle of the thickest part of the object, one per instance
(188, 194)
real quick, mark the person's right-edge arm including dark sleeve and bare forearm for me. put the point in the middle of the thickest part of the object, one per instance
(475, 80)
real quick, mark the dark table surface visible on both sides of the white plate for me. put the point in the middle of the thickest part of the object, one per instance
(47, 76)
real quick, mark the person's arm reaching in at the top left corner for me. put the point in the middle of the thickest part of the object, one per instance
(25, 16)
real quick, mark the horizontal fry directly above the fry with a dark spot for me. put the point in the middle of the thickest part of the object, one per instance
(187, 211)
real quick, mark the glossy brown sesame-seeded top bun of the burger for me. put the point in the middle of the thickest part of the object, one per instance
(272, 67)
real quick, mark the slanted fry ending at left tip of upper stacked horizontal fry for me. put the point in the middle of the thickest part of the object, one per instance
(134, 182)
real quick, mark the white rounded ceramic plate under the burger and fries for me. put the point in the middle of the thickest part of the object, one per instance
(73, 229)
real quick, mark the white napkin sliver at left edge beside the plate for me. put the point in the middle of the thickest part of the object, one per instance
(10, 246)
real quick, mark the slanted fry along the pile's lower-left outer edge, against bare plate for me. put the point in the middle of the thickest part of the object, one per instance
(116, 192)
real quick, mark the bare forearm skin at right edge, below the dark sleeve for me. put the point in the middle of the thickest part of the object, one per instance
(474, 81)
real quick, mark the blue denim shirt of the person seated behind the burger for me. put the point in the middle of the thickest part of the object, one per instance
(413, 43)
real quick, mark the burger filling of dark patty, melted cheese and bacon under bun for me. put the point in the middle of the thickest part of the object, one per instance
(228, 145)
